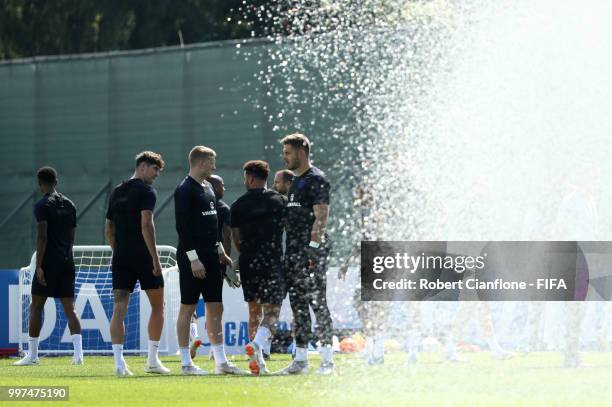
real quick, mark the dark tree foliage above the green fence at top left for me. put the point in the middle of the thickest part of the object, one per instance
(50, 27)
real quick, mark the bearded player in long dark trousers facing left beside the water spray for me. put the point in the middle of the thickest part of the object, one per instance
(307, 254)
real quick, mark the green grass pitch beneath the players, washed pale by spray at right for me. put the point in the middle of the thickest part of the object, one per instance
(534, 379)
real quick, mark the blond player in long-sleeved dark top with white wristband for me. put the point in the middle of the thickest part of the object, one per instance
(200, 256)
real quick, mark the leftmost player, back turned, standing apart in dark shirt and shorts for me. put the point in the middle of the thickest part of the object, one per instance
(55, 274)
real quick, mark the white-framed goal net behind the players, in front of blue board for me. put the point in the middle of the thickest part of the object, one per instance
(94, 305)
